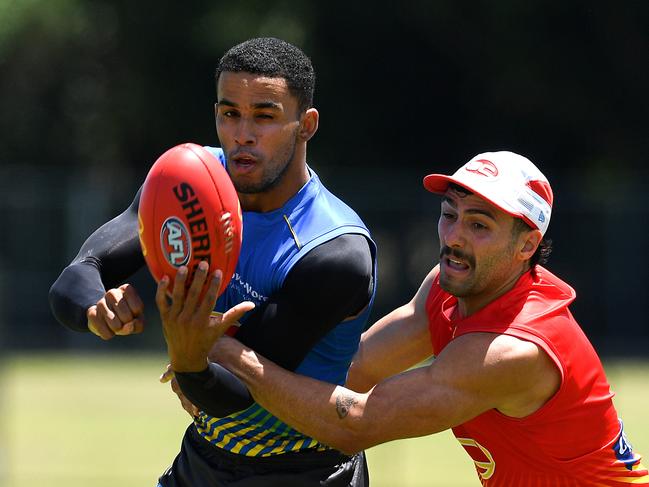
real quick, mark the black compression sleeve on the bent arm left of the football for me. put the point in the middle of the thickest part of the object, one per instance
(110, 255)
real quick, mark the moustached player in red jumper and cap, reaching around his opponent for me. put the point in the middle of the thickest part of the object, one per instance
(514, 376)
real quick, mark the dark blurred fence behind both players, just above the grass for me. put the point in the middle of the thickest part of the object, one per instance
(51, 213)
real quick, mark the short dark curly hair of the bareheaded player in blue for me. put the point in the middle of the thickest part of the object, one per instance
(275, 58)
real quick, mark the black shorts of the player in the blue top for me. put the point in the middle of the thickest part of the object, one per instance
(201, 464)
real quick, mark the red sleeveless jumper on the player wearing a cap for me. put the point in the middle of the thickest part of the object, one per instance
(576, 438)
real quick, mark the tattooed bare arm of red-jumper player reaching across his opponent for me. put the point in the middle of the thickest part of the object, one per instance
(474, 373)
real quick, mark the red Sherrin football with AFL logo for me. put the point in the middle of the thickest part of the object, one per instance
(189, 211)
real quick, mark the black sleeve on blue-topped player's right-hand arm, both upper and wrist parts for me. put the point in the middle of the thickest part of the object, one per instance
(331, 282)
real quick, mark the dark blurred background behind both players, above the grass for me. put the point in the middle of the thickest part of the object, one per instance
(93, 91)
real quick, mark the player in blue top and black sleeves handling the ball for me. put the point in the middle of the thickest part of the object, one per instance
(307, 262)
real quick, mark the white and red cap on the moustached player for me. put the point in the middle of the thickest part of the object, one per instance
(506, 180)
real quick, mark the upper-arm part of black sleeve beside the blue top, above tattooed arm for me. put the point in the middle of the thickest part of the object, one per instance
(330, 283)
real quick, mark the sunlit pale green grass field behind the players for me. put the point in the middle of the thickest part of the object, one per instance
(105, 421)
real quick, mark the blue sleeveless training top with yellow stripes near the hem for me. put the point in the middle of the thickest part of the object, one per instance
(272, 243)
